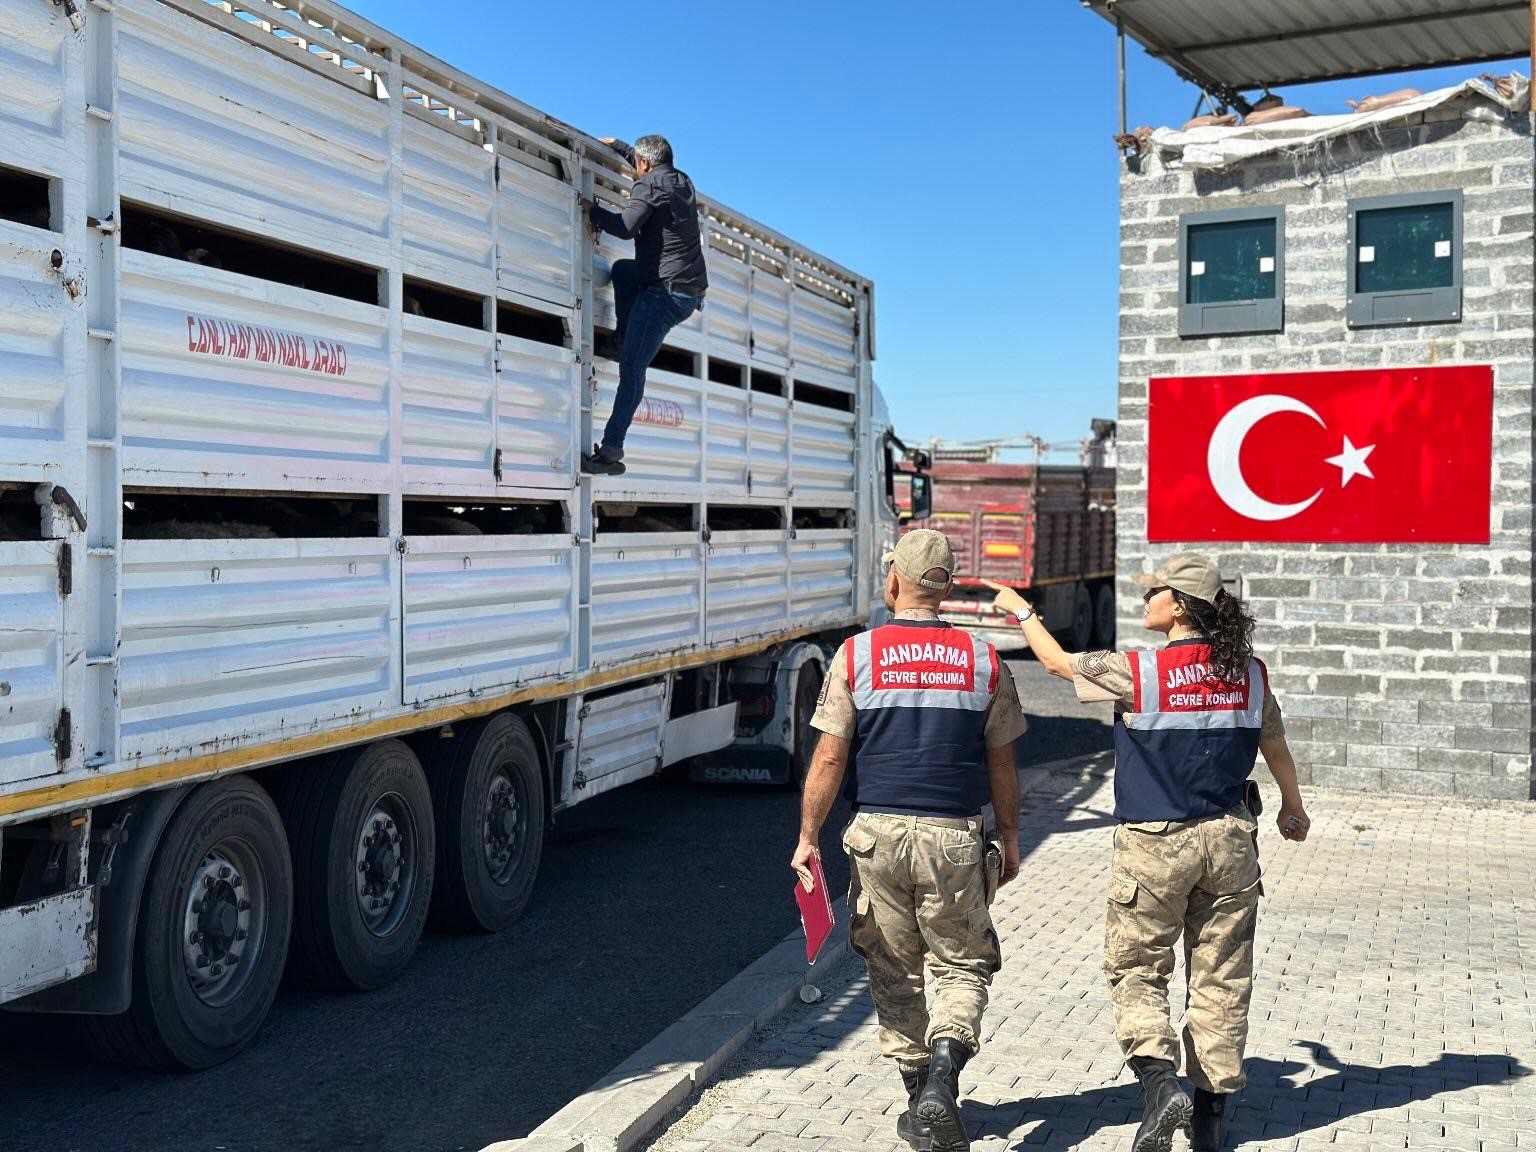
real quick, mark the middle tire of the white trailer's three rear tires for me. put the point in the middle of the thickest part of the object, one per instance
(363, 866)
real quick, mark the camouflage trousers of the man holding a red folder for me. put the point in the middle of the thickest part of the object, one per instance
(918, 890)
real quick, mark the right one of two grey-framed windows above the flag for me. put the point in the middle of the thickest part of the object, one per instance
(1405, 259)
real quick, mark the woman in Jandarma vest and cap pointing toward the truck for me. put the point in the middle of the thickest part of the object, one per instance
(1191, 718)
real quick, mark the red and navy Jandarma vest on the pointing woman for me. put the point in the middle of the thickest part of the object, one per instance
(1188, 744)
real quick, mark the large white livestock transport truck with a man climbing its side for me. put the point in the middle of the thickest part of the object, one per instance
(308, 621)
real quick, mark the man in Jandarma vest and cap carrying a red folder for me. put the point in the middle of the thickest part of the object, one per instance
(924, 720)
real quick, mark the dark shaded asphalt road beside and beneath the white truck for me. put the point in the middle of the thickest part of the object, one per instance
(649, 899)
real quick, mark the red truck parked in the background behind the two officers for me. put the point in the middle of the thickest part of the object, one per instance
(1044, 529)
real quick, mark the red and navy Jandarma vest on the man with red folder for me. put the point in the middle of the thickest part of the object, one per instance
(921, 690)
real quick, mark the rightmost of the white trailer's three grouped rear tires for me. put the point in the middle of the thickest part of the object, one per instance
(489, 801)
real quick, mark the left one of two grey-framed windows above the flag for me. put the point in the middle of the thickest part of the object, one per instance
(1233, 271)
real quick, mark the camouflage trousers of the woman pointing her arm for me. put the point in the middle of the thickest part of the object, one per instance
(1199, 879)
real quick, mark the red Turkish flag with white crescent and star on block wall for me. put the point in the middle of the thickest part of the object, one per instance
(1374, 457)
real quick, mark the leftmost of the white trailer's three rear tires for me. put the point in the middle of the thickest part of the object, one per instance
(213, 935)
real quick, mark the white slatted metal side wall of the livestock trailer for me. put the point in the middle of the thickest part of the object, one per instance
(340, 270)
